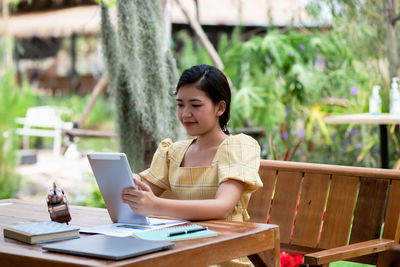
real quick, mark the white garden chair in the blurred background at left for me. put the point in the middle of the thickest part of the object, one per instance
(43, 121)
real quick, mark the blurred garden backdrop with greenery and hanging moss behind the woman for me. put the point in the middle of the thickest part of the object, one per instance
(291, 63)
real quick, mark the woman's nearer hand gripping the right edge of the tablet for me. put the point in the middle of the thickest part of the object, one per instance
(141, 200)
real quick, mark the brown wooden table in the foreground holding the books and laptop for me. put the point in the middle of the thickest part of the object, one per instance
(235, 239)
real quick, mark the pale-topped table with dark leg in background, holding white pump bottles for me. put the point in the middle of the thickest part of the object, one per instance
(366, 118)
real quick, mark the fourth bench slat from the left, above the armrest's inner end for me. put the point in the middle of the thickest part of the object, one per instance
(339, 211)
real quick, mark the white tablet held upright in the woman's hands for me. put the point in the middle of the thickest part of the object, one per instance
(112, 174)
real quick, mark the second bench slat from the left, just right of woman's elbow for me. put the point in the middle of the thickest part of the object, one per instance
(284, 204)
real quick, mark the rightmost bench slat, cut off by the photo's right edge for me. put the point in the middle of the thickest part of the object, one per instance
(392, 222)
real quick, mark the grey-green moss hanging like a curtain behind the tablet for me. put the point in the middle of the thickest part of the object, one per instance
(142, 76)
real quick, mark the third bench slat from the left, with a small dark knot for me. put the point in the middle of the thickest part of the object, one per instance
(311, 208)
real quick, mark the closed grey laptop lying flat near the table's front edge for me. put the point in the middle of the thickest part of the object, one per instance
(108, 247)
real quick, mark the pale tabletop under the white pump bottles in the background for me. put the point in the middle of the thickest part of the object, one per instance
(363, 118)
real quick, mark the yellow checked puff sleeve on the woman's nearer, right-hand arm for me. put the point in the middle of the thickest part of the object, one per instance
(239, 159)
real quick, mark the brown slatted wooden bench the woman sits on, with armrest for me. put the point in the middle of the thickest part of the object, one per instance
(328, 212)
